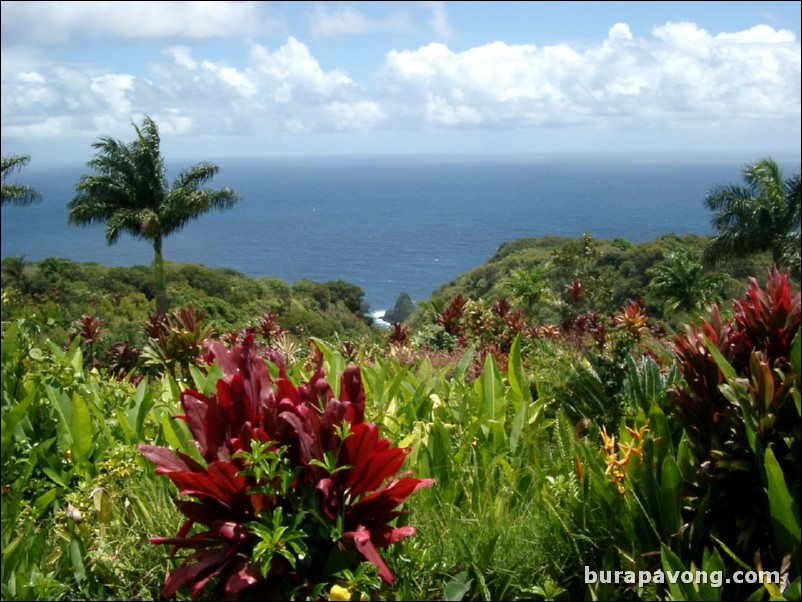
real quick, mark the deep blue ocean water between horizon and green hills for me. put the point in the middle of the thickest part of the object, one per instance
(391, 224)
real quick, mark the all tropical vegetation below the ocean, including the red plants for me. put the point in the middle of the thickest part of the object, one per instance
(575, 419)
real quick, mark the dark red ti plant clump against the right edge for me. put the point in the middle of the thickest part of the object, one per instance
(756, 345)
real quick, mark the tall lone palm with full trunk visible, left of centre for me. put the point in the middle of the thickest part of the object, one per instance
(130, 193)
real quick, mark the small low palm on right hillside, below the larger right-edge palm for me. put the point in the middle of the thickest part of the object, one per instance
(682, 284)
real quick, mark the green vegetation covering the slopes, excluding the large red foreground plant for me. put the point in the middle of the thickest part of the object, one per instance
(597, 443)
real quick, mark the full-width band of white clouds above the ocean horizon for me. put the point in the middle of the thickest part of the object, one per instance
(680, 78)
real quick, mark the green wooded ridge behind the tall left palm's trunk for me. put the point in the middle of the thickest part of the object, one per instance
(57, 292)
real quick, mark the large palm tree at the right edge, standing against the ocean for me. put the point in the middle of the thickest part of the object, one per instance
(763, 215)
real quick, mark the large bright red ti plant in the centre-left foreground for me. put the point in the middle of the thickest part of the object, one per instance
(295, 487)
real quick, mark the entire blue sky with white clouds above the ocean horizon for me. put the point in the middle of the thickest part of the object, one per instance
(276, 79)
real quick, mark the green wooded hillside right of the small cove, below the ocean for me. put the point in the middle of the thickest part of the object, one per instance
(610, 272)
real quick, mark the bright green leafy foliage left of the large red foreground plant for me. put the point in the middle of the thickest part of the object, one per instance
(77, 506)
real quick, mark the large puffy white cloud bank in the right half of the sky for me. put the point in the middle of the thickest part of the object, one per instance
(682, 69)
